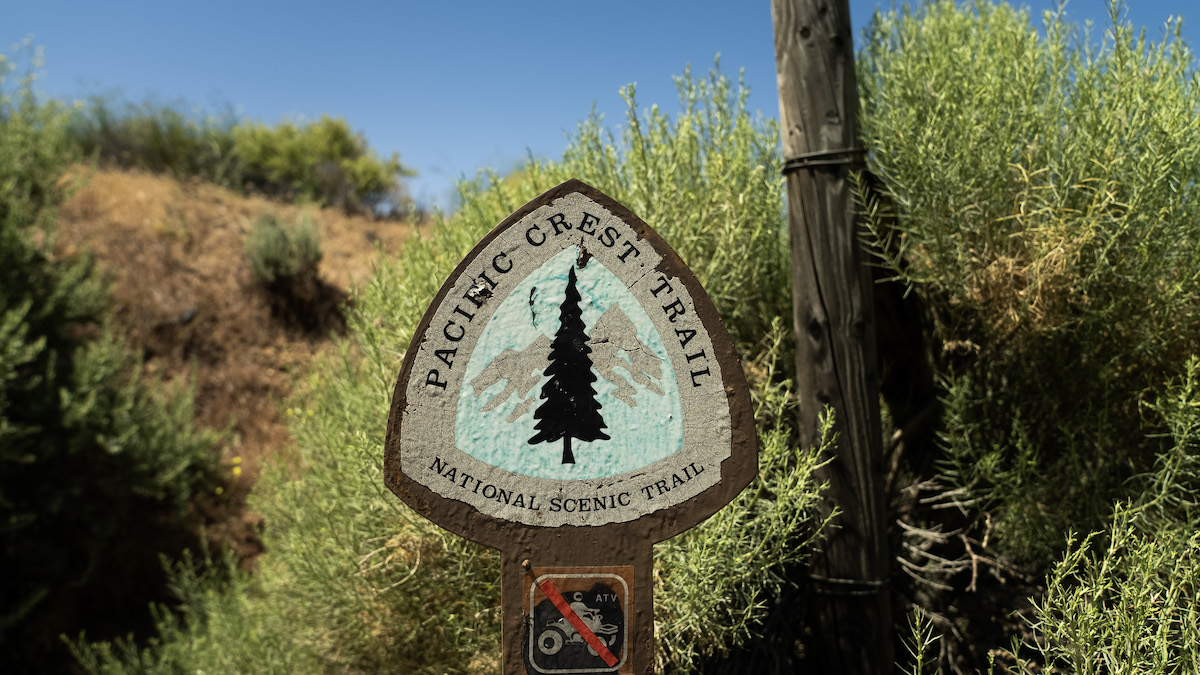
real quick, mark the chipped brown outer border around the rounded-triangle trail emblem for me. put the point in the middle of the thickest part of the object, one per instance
(737, 470)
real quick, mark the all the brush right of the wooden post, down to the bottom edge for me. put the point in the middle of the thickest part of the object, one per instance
(1041, 198)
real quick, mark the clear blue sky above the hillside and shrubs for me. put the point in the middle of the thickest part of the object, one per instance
(453, 87)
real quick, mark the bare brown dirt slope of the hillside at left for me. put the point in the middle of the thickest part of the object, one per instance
(185, 297)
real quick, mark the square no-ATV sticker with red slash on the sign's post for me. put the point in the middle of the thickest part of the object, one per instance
(577, 620)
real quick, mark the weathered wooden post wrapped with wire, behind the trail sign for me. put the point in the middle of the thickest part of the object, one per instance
(836, 353)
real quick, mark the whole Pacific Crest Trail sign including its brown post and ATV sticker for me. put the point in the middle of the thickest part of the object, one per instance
(572, 398)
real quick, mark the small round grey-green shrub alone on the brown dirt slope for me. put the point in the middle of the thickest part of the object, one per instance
(279, 254)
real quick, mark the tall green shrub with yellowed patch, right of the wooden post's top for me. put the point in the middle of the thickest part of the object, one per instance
(1042, 198)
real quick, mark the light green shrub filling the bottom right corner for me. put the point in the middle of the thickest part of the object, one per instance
(1125, 600)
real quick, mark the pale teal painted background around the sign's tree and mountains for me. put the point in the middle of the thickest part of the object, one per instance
(641, 434)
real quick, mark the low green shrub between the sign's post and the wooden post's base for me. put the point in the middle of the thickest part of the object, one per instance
(716, 583)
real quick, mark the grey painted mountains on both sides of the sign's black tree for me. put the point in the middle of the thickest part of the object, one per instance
(617, 356)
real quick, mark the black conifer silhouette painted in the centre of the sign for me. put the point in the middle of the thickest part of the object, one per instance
(571, 409)
